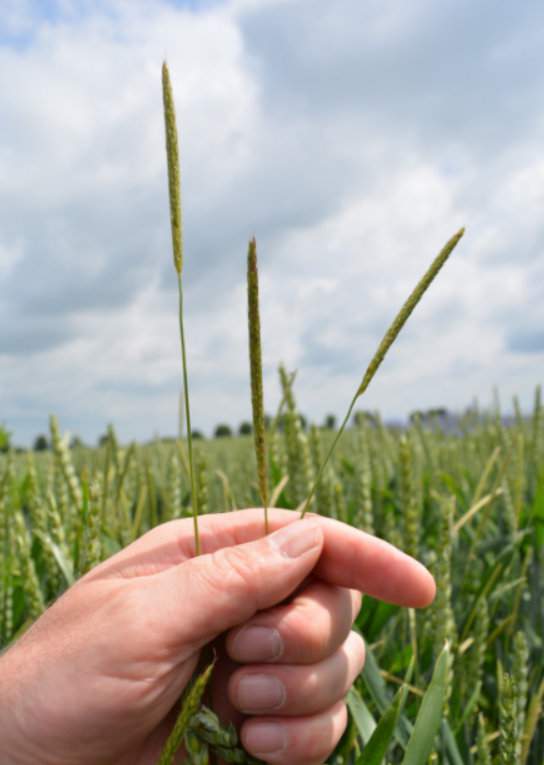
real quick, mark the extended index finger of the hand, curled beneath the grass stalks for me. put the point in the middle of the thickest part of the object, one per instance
(350, 558)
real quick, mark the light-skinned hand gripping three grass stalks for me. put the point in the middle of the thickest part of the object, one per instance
(95, 681)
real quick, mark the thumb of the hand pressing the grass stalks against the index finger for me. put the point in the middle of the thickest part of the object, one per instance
(208, 595)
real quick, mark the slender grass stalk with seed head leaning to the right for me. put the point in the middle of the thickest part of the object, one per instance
(387, 341)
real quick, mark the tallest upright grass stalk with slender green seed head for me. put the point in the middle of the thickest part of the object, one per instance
(172, 156)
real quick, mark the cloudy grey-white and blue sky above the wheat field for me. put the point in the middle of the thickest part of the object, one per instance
(352, 138)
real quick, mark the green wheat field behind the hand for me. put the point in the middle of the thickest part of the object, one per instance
(81, 506)
